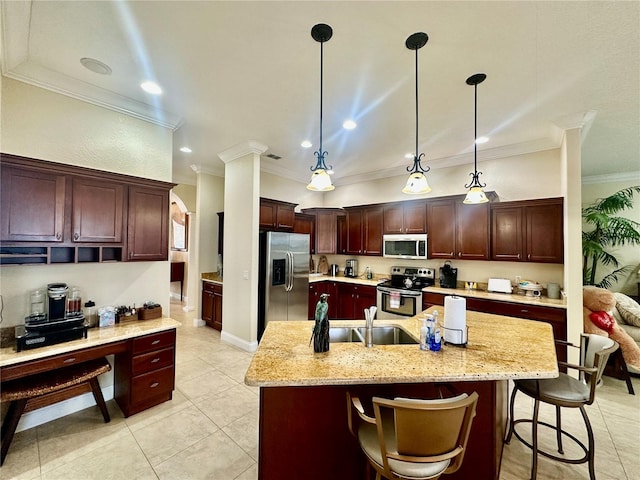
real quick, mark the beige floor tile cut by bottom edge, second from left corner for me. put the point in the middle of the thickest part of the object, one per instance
(115, 461)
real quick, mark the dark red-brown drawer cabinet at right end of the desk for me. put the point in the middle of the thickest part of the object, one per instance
(145, 374)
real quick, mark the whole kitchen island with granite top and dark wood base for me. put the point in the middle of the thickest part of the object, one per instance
(303, 407)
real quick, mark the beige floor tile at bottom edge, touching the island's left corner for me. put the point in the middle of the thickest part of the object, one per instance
(216, 457)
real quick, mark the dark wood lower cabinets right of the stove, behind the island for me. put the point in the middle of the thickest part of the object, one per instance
(557, 317)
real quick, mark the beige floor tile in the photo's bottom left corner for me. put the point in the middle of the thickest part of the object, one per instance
(22, 460)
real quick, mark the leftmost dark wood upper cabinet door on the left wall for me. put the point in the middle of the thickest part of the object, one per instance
(32, 206)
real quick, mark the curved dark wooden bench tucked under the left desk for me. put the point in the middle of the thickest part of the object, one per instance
(20, 391)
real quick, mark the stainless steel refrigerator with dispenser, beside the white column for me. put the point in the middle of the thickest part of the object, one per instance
(284, 277)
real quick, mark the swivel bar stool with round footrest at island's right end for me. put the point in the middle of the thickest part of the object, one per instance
(565, 391)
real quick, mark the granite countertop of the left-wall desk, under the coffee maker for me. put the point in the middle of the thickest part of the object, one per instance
(95, 337)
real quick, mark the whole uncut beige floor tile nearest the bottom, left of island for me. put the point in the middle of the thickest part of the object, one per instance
(173, 434)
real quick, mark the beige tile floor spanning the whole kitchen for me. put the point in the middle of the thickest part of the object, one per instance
(209, 429)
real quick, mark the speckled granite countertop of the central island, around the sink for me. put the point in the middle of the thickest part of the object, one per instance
(499, 348)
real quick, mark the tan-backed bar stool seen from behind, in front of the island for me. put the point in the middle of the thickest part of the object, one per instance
(411, 438)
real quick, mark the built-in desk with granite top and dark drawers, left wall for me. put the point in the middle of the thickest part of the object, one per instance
(144, 370)
